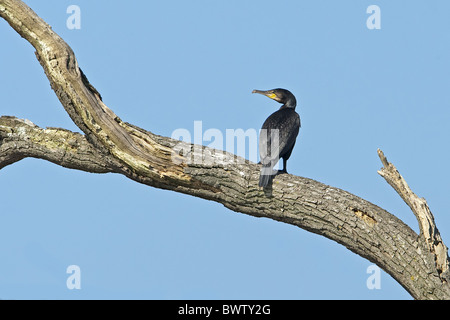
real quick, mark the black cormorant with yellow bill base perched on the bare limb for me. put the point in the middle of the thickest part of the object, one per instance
(278, 134)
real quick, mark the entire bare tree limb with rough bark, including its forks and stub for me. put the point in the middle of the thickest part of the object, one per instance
(418, 262)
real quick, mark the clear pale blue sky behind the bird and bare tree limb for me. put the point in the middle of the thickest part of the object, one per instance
(162, 65)
